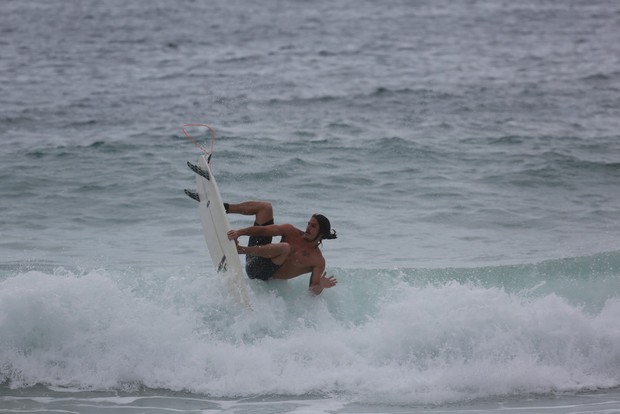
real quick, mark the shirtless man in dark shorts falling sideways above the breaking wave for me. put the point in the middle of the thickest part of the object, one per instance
(297, 253)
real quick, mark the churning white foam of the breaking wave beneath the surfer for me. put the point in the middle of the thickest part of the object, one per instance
(425, 344)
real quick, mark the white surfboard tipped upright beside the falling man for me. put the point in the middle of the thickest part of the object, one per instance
(215, 226)
